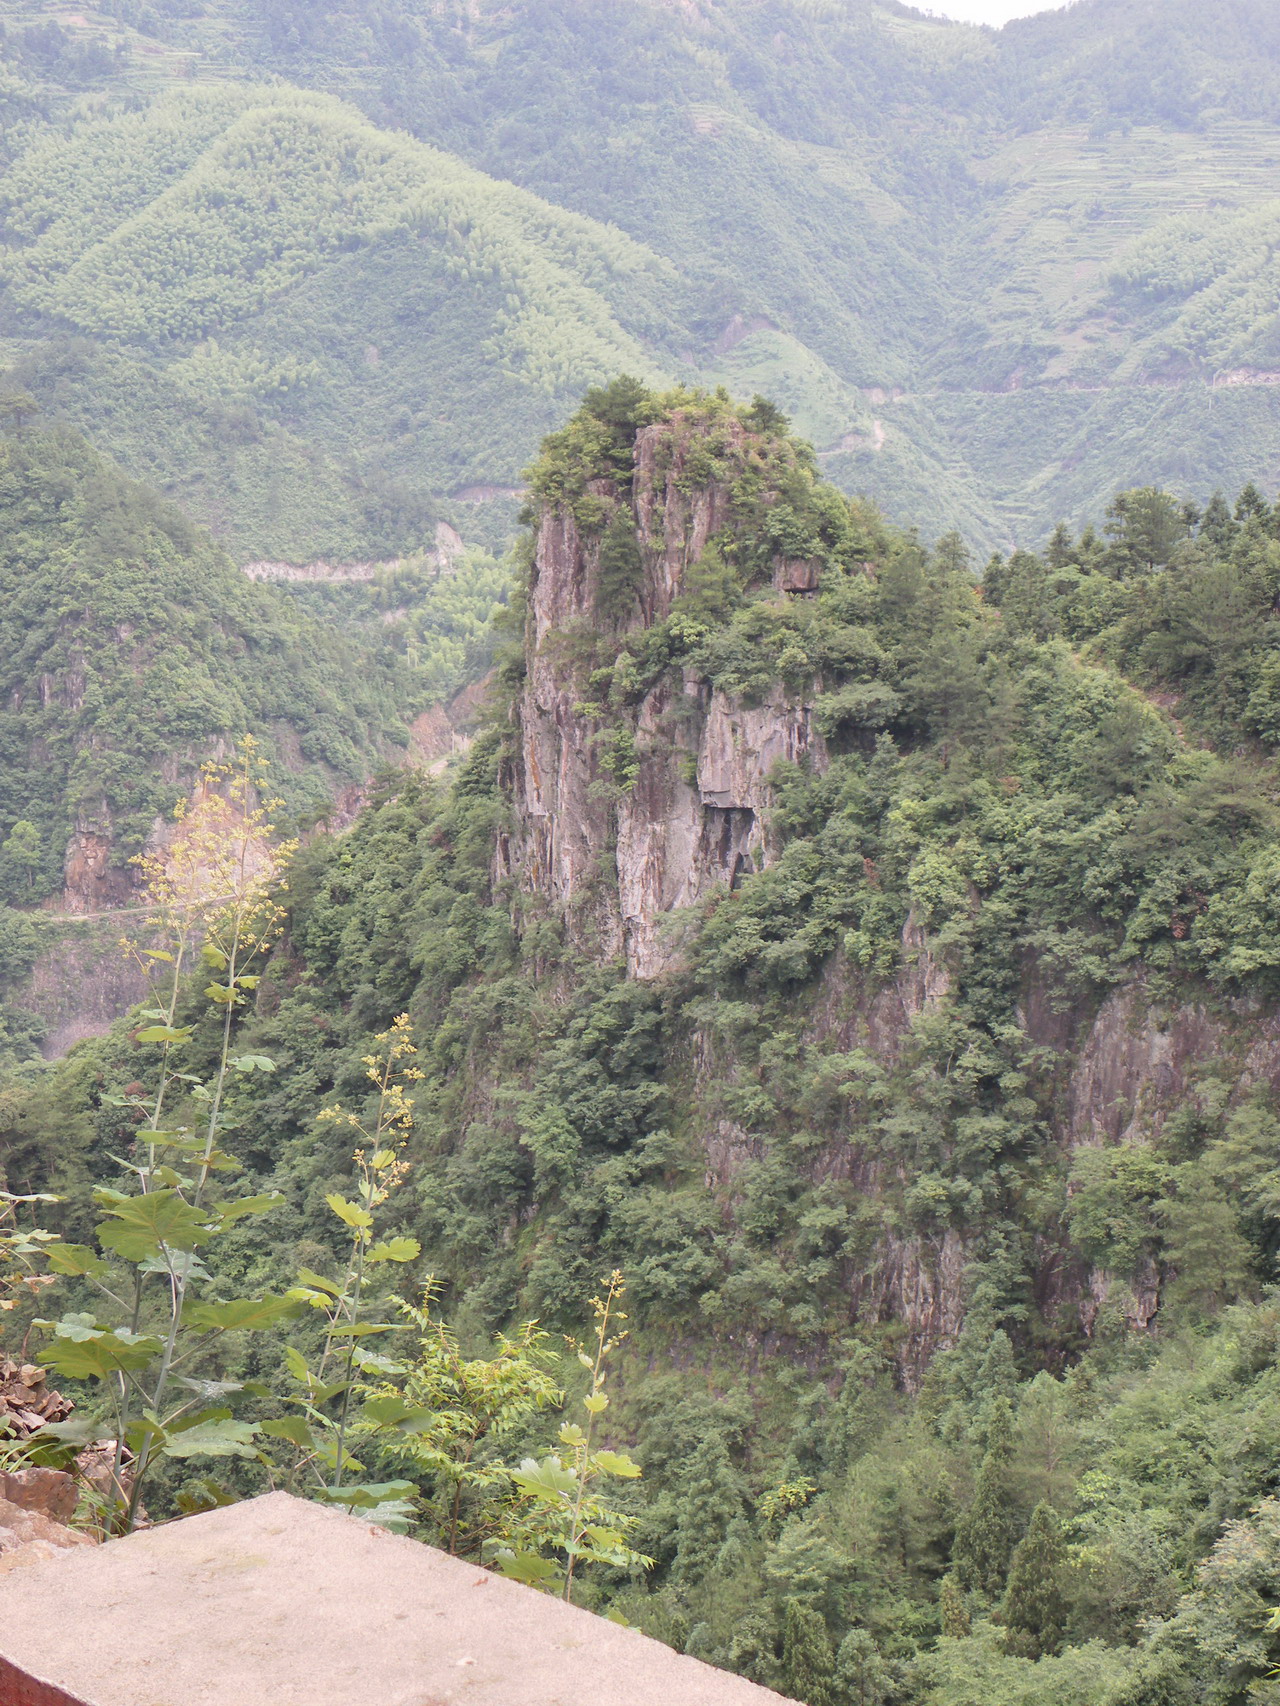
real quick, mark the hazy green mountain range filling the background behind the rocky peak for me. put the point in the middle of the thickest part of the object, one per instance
(994, 277)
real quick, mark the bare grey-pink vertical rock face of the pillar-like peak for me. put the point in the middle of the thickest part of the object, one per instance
(632, 813)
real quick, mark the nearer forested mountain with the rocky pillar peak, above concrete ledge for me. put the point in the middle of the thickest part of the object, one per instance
(933, 1129)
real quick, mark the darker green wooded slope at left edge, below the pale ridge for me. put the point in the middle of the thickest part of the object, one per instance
(131, 649)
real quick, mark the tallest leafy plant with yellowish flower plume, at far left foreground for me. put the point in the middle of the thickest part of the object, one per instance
(212, 891)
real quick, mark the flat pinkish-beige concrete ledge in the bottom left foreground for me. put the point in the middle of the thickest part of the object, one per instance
(301, 1606)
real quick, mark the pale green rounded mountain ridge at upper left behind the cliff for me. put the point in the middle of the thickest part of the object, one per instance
(305, 327)
